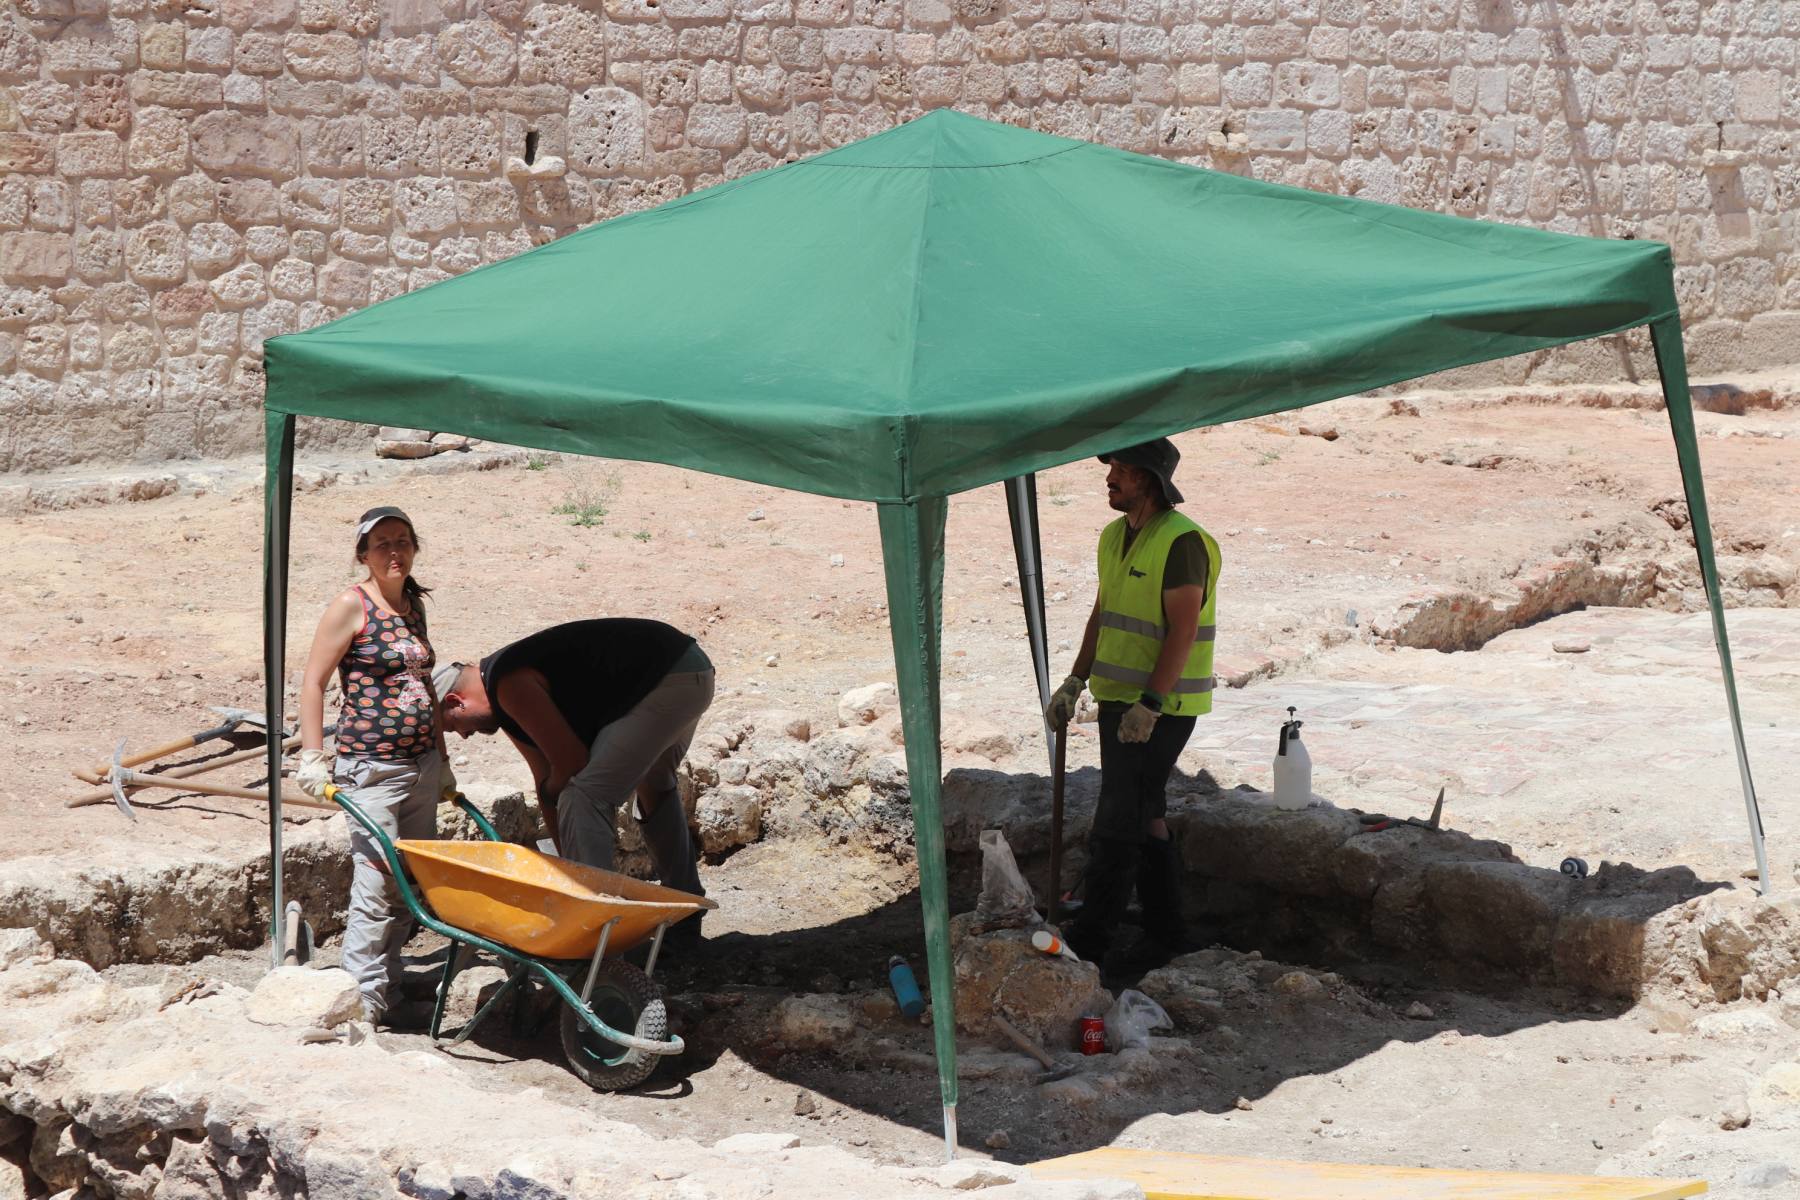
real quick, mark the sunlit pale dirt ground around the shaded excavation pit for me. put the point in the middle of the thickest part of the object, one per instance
(125, 622)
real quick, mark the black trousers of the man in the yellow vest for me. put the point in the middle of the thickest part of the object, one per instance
(1120, 850)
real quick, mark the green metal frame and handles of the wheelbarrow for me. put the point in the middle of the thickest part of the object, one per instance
(525, 965)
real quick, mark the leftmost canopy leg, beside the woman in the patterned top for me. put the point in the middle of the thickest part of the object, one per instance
(278, 505)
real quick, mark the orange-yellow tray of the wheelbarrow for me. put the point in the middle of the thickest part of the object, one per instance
(539, 904)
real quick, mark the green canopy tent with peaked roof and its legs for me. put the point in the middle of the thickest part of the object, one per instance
(942, 307)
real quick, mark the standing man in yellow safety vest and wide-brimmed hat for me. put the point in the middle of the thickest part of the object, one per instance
(1147, 658)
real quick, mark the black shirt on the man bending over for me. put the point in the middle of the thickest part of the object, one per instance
(597, 670)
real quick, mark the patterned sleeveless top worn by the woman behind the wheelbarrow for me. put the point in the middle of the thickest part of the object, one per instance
(388, 708)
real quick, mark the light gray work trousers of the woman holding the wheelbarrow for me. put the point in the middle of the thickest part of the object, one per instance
(402, 800)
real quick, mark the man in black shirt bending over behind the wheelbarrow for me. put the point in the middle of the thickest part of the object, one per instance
(600, 710)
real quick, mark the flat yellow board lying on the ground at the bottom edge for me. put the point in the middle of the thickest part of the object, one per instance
(1173, 1176)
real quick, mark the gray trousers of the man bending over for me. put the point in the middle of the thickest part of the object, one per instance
(638, 755)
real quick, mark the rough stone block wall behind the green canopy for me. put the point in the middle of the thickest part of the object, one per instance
(184, 179)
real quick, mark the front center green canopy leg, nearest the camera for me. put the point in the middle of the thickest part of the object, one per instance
(913, 564)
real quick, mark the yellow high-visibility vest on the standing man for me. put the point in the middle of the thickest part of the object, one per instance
(1133, 623)
